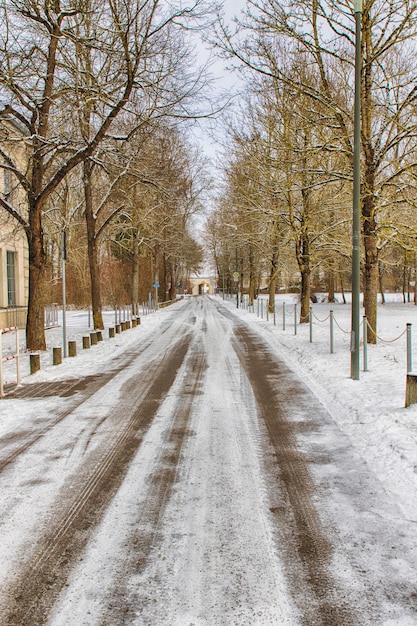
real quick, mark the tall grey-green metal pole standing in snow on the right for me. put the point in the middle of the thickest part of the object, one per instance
(356, 222)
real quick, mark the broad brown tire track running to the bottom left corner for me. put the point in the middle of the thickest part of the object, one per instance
(32, 593)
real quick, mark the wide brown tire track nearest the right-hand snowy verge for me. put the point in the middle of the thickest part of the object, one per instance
(308, 559)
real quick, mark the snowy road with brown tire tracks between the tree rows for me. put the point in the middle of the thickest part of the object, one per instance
(195, 481)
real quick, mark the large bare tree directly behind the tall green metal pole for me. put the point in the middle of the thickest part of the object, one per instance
(272, 39)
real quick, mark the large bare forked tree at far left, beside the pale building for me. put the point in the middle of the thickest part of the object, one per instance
(130, 53)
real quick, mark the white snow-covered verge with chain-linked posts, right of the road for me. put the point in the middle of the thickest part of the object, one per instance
(371, 411)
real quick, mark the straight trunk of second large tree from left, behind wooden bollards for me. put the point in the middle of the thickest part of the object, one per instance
(92, 248)
